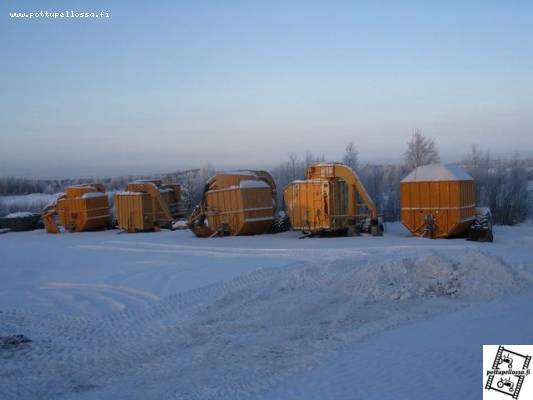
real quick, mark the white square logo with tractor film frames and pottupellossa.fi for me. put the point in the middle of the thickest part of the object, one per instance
(507, 372)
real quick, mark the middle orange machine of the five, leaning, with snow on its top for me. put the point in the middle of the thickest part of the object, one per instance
(240, 203)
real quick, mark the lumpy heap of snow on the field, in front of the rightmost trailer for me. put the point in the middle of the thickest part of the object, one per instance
(472, 275)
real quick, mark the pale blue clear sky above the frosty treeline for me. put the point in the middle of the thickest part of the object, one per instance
(166, 85)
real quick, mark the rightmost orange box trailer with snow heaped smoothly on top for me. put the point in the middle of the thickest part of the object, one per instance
(438, 201)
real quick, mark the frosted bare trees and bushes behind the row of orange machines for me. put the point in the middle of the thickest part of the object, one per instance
(501, 184)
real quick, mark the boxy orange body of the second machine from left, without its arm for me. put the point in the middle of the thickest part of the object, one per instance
(134, 211)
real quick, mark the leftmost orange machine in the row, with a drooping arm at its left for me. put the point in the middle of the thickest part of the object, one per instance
(80, 208)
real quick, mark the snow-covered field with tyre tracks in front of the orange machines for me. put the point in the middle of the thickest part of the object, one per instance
(170, 316)
